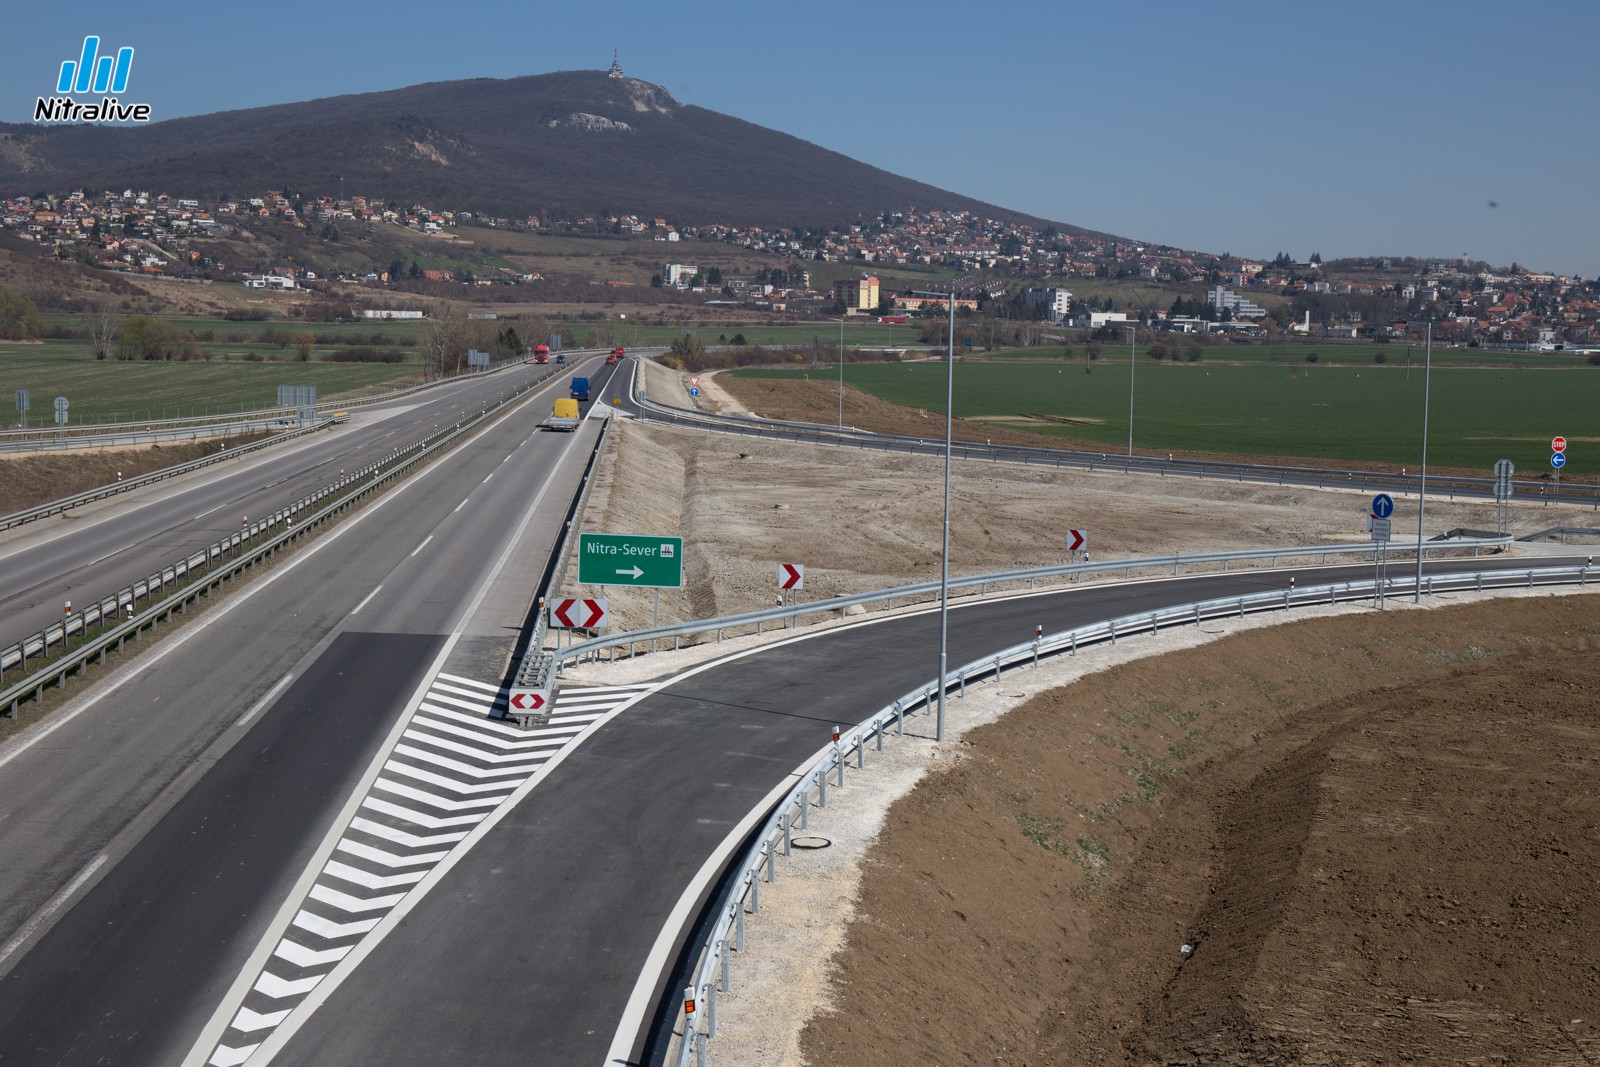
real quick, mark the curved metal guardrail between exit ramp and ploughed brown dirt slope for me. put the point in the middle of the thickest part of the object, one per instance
(713, 973)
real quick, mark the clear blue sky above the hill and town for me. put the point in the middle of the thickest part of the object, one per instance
(1353, 129)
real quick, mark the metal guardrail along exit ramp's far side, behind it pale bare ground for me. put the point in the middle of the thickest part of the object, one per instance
(791, 615)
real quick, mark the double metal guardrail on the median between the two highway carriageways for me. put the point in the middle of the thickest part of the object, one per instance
(234, 549)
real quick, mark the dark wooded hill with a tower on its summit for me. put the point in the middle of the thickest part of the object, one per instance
(570, 145)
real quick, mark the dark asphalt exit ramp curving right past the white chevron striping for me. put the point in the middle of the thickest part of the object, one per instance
(534, 945)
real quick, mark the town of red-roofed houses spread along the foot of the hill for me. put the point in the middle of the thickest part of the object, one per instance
(1023, 271)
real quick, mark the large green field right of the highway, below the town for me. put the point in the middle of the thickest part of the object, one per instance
(1346, 410)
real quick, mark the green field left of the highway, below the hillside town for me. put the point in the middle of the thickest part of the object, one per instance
(116, 391)
